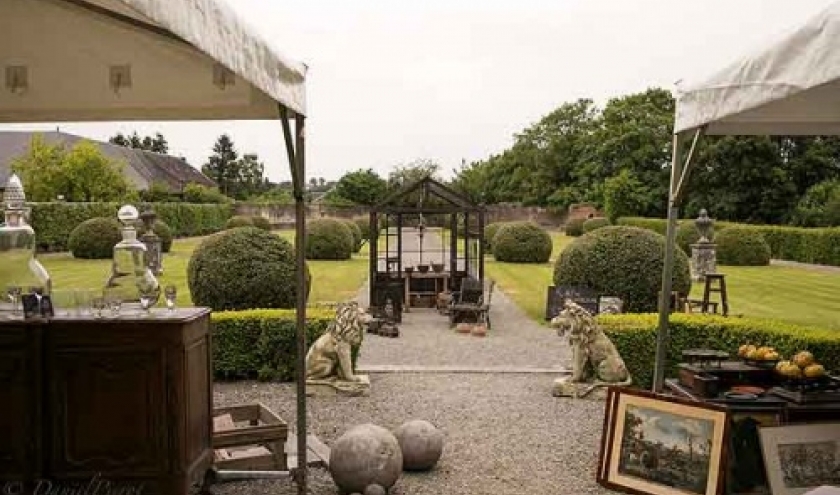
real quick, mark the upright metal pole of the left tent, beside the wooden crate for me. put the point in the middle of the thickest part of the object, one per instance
(301, 473)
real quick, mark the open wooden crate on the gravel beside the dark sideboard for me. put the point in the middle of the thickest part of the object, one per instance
(249, 437)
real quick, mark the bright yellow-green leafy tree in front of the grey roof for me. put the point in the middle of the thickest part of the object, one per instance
(82, 174)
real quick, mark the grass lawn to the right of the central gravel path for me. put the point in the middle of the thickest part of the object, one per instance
(797, 295)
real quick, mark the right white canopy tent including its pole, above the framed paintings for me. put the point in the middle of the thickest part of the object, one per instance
(790, 88)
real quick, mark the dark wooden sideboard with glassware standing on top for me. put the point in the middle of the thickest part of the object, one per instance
(123, 404)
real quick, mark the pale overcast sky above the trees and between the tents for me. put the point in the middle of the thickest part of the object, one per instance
(448, 80)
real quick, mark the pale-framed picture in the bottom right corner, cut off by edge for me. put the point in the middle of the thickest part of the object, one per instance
(799, 458)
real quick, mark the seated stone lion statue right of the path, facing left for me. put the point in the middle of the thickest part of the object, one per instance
(595, 360)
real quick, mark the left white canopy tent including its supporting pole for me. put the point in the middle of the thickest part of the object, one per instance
(119, 60)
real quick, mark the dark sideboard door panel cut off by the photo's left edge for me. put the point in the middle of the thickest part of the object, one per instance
(20, 415)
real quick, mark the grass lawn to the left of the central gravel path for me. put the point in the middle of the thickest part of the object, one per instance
(331, 280)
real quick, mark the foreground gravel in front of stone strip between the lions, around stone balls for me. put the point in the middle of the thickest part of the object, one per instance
(505, 434)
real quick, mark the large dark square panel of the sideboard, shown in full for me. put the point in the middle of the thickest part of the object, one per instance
(108, 410)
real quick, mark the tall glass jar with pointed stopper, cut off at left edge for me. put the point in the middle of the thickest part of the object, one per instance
(20, 271)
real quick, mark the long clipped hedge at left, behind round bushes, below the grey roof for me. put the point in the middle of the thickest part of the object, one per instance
(53, 222)
